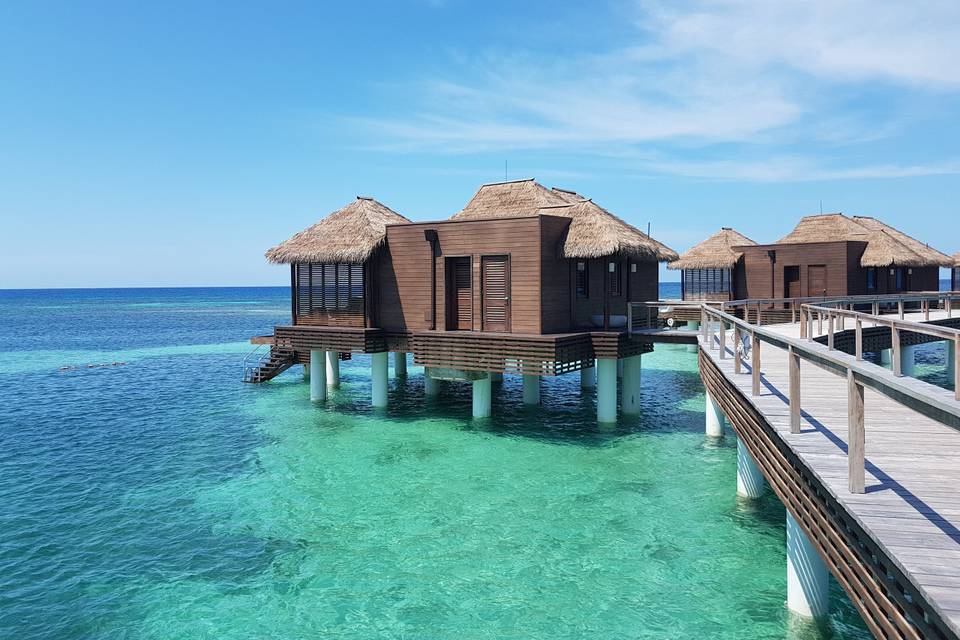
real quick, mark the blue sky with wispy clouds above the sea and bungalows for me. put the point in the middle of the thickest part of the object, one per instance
(163, 144)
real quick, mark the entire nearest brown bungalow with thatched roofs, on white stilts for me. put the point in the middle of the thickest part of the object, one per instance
(523, 279)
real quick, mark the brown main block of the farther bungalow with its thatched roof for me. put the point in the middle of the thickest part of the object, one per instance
(836, 255)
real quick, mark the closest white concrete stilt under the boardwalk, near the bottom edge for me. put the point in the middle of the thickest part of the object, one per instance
(808, 582)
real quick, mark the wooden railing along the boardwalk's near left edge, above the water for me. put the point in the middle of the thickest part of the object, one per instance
(916, 395)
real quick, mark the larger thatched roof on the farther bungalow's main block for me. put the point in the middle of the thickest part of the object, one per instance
(886, 246)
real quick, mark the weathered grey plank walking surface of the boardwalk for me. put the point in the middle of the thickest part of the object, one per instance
(911, 506)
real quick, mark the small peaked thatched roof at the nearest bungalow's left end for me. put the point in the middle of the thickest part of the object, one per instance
(350, 234)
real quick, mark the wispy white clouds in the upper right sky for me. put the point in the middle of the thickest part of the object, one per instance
(699, 73)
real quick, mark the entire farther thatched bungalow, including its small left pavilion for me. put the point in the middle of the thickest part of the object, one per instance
(825, 255)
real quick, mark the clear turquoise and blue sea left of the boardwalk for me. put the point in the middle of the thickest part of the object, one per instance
(162, 498)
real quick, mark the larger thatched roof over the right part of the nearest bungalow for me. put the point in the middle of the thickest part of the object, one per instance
(594, 232)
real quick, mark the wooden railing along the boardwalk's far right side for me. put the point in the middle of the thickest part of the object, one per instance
(835, 317)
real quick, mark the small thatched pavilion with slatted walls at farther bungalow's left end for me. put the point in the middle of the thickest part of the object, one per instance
(713, 270)
